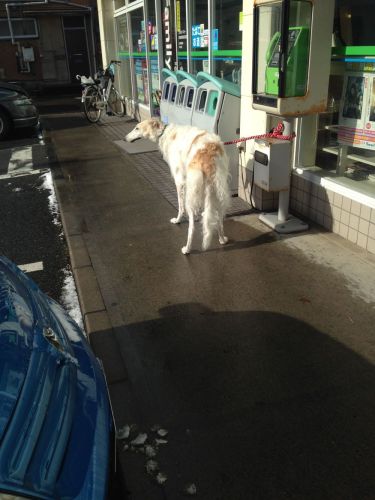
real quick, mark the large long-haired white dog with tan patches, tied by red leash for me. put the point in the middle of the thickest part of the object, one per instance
(199, 167)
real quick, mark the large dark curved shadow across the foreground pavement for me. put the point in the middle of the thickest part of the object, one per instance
(258, 405)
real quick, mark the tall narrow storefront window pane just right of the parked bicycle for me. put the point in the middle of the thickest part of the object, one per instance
(138, 30)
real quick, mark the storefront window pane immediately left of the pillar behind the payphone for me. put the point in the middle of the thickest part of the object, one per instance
(227, 40)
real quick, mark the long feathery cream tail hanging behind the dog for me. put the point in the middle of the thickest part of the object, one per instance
(216, 200)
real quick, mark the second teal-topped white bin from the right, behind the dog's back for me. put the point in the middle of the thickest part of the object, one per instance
(185, 100)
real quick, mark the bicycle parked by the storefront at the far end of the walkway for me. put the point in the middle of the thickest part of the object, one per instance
(99, 93)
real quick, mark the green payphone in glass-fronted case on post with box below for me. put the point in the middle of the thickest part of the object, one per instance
(291, 67)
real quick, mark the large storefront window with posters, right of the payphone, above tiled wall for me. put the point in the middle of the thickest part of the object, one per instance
(346, 130)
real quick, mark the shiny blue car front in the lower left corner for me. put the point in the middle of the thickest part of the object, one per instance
(56, 425)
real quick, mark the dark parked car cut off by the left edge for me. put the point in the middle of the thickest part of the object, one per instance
(16, 109)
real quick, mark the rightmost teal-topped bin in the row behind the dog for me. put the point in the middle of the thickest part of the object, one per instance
(217, 109)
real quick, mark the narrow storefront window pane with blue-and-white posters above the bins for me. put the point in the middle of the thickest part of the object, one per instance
(199, 36)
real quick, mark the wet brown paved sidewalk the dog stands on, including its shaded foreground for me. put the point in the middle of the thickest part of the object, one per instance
(257, 357)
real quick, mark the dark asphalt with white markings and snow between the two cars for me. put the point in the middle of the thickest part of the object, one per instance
(30, 226)
